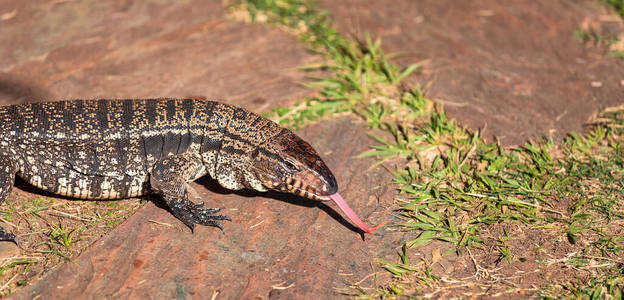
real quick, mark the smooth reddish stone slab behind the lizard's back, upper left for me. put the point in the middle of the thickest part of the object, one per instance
(55, 50)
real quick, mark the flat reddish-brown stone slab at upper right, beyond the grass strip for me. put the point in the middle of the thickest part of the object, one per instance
(516, 66)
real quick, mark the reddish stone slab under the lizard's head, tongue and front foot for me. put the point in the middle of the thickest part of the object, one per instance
(276, 246)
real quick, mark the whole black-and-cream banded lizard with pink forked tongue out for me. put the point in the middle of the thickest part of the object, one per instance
(111, 149)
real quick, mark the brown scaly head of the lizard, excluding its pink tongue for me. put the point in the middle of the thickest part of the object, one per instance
(289, 164)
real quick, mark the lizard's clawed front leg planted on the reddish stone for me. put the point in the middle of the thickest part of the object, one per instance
(170, 178)
